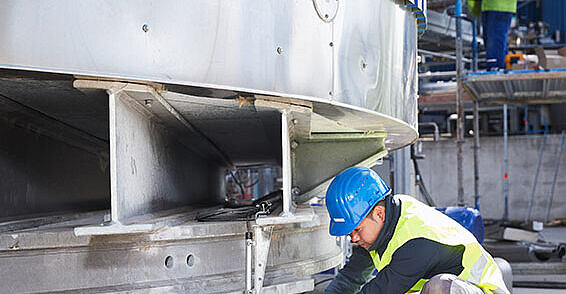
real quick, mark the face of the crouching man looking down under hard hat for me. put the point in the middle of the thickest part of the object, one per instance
(367, 231)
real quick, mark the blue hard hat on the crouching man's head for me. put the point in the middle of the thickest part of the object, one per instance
(351, 196)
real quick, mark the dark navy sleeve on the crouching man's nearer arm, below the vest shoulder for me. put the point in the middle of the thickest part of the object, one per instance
(416, 259)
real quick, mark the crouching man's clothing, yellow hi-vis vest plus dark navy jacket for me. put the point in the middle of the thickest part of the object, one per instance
(416, 243)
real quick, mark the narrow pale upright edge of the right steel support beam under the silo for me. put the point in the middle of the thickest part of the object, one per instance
(286, 164)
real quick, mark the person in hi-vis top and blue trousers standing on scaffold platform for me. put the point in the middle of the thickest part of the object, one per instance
(496, 19)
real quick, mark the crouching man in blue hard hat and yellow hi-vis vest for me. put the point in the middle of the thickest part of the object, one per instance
(413, 246)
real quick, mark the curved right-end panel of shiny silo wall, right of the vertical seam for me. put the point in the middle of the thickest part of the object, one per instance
(376, 59)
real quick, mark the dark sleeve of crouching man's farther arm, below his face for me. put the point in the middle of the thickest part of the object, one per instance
(354, 274)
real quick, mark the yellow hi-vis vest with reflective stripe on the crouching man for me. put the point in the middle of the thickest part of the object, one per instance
(418, 220)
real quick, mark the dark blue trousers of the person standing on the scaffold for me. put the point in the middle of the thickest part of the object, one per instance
(495, 29)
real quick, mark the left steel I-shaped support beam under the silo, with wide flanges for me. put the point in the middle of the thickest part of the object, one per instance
(150, 170)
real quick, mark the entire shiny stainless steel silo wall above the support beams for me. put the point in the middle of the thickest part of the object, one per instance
(365, 56)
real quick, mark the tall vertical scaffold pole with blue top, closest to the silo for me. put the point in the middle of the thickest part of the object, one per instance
(459, 103)
